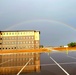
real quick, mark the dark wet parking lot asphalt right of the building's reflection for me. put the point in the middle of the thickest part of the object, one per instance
(57, 63)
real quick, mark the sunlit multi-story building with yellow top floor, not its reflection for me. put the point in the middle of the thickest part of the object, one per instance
(24, 39)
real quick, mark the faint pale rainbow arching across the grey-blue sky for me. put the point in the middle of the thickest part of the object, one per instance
(40, 20)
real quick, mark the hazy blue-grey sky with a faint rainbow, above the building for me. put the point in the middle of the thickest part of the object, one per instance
(55, 19)
